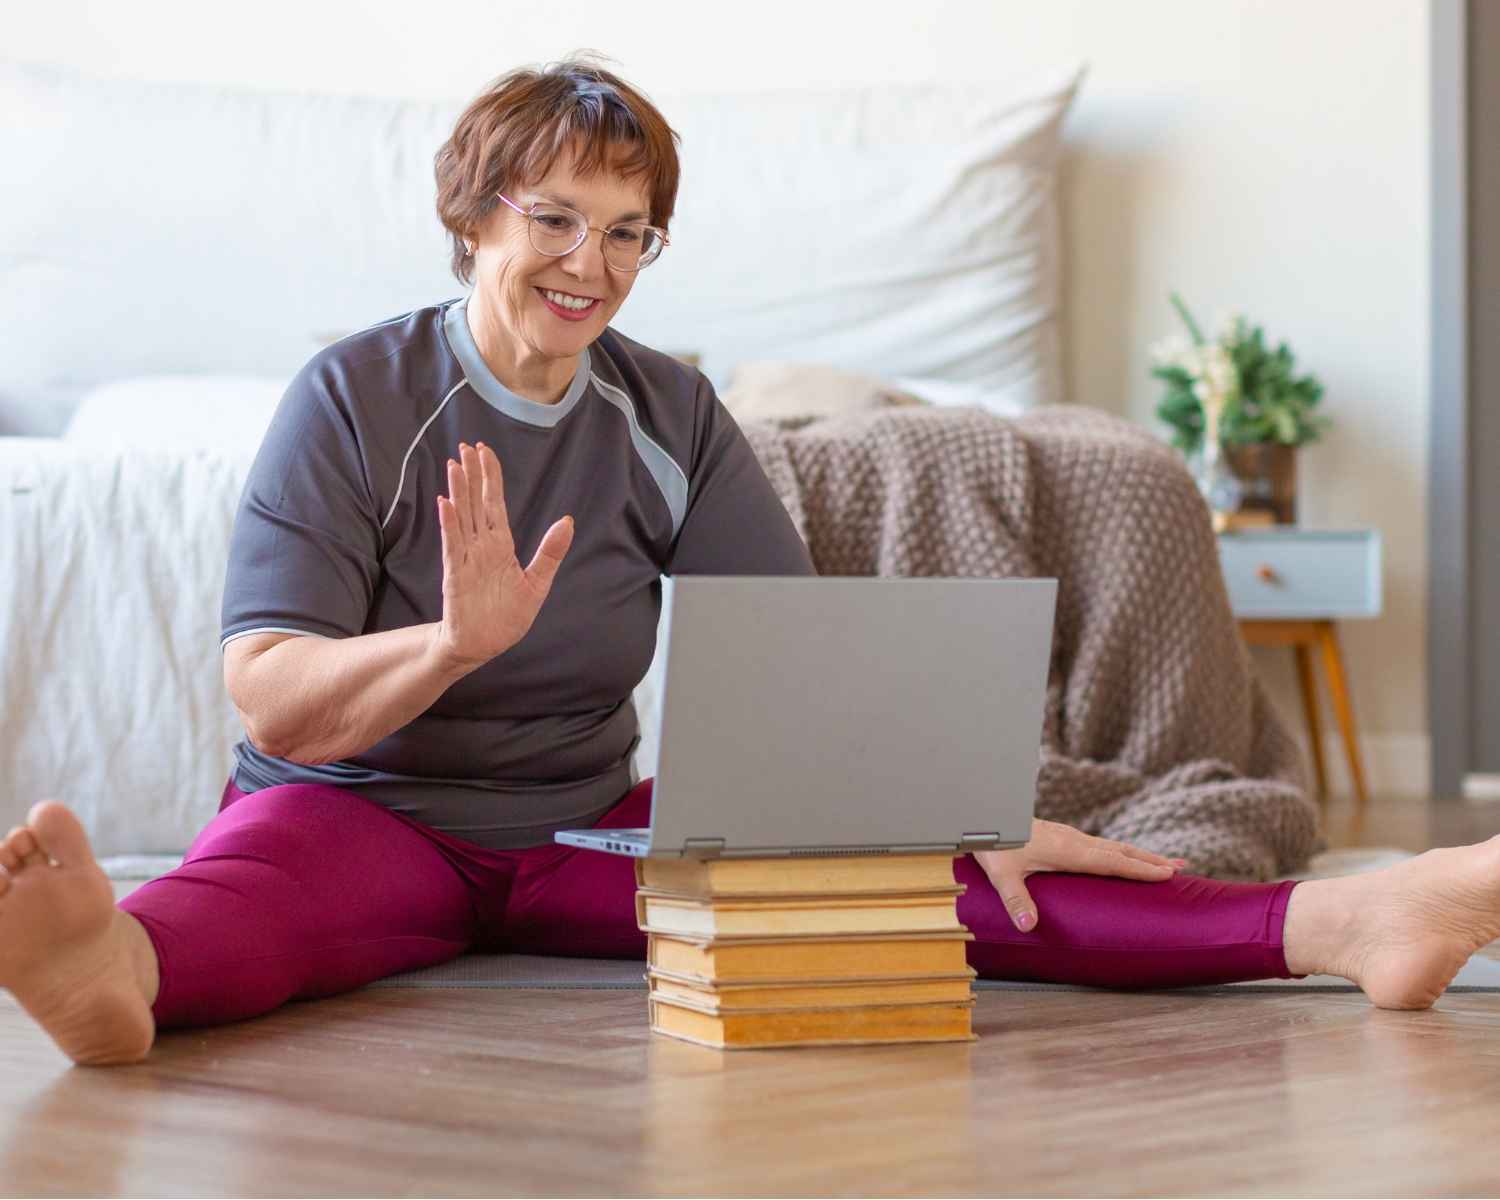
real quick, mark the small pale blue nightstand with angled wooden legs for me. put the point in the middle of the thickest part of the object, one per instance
(1289, 587)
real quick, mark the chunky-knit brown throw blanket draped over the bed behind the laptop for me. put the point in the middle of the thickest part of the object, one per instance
(1156, 730)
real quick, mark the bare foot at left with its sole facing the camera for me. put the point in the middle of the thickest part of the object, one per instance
(67, 953)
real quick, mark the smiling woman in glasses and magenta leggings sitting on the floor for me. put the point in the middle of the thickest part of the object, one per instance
(422, 713)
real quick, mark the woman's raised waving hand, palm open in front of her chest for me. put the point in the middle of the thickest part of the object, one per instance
(488, 601)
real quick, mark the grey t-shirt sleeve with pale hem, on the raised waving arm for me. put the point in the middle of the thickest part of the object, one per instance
(305, 548)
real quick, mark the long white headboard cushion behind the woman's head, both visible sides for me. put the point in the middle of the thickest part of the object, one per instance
(901, 232)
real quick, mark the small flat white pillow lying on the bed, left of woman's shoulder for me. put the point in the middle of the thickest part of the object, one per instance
(227, 413)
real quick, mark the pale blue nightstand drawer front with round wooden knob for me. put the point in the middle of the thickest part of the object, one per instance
(1303, 574)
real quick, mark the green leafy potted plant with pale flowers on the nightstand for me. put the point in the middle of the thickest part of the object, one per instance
(1240, 410)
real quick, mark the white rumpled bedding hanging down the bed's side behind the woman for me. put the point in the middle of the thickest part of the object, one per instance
(112, 574)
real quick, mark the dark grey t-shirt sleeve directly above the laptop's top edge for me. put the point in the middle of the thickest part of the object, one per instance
(734, 523)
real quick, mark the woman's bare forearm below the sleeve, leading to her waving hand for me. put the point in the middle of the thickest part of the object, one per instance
(322, 700)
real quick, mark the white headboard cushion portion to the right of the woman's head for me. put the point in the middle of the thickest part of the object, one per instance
(895, 232)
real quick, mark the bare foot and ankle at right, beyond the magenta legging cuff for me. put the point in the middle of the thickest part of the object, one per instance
(1405, 932)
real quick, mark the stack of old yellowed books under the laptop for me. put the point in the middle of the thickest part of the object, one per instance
(806, 952)
